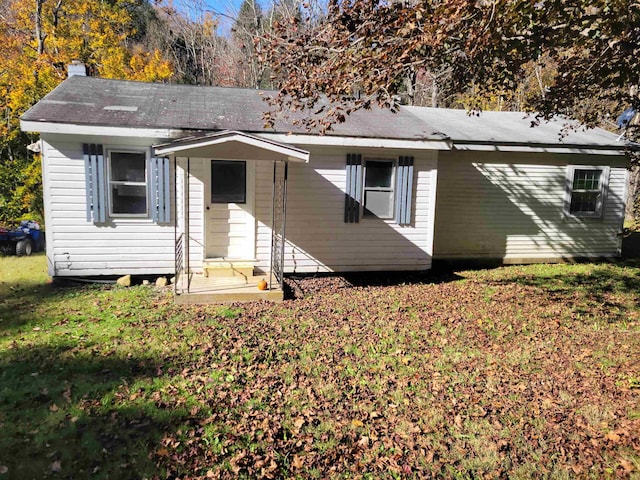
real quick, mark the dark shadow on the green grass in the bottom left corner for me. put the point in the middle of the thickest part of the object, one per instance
(72, 405)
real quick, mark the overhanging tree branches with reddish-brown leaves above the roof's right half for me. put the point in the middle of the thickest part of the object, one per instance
(484, 44)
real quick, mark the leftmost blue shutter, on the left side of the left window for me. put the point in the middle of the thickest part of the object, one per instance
(96, 194)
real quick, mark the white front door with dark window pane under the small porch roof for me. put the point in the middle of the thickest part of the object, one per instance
(230, 225)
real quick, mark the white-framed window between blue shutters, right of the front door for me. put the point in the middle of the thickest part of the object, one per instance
(378, 188)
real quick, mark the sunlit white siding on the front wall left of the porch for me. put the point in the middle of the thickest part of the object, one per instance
(76, 247)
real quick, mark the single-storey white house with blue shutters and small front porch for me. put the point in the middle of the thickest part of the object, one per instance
(160, 179)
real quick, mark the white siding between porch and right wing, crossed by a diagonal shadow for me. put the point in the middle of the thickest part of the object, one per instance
(318, 239)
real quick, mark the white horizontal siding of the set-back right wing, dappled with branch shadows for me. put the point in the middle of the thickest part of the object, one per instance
(510, 206)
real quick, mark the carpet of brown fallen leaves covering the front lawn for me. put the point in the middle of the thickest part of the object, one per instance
(464, 378)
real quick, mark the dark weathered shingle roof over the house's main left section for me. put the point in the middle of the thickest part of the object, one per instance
(118, 103)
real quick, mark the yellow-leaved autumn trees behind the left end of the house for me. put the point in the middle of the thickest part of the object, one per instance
(37, 41)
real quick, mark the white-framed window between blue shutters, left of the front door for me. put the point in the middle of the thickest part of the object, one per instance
(128, 183)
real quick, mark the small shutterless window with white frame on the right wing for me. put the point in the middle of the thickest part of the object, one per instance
(585, 191)
